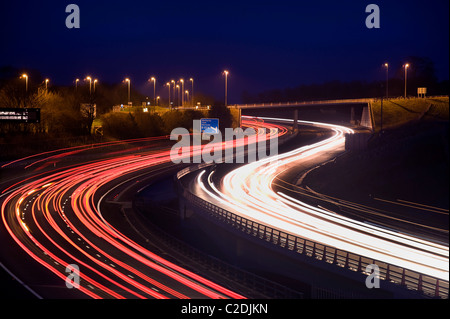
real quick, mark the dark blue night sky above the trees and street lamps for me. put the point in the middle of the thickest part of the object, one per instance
(264, 44)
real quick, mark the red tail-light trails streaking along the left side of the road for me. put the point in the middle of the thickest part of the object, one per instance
(54, 217)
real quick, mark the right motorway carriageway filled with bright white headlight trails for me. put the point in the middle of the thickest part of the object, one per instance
(248, 191)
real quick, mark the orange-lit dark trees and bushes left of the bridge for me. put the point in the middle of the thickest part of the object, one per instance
(66, 122)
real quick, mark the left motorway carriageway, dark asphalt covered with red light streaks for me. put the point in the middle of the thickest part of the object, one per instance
(51, 208)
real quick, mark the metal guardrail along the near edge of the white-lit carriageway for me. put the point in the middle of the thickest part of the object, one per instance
(427, 285)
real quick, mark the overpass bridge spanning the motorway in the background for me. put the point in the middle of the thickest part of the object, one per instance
(344, 111)
